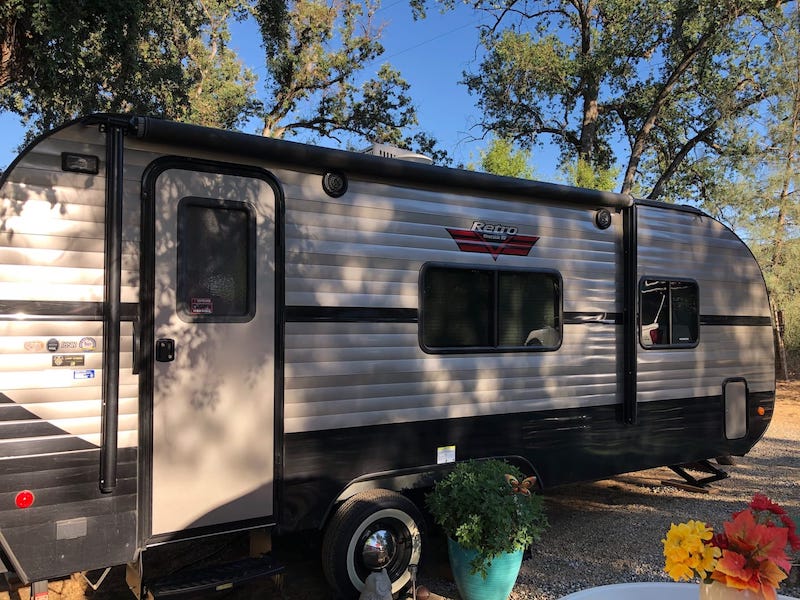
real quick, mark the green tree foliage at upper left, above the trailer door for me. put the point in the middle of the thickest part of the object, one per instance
(174, 60)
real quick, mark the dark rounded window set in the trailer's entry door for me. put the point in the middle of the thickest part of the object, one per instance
(215, 261)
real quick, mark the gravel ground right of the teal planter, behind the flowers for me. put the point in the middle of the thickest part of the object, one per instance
(610, 531)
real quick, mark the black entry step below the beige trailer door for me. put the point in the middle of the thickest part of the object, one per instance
(214, 577)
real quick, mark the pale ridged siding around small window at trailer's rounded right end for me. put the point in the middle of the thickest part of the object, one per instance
(683, 245)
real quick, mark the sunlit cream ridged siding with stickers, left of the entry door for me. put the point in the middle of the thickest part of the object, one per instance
(52, 252)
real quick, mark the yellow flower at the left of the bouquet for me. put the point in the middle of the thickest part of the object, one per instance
(686, 552)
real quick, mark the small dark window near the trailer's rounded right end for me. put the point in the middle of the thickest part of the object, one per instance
(669, 313)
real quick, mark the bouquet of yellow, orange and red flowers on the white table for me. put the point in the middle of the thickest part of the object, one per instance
(750, 555)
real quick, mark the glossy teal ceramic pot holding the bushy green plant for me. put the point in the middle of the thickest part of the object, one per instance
(499, 582)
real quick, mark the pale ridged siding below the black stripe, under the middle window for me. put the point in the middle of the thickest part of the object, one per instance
(349, 376)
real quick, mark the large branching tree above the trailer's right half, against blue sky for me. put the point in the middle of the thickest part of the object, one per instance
(667, 76)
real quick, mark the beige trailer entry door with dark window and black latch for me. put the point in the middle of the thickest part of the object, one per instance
(213, 411)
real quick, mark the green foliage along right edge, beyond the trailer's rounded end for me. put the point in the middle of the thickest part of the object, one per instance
(755, 185)
